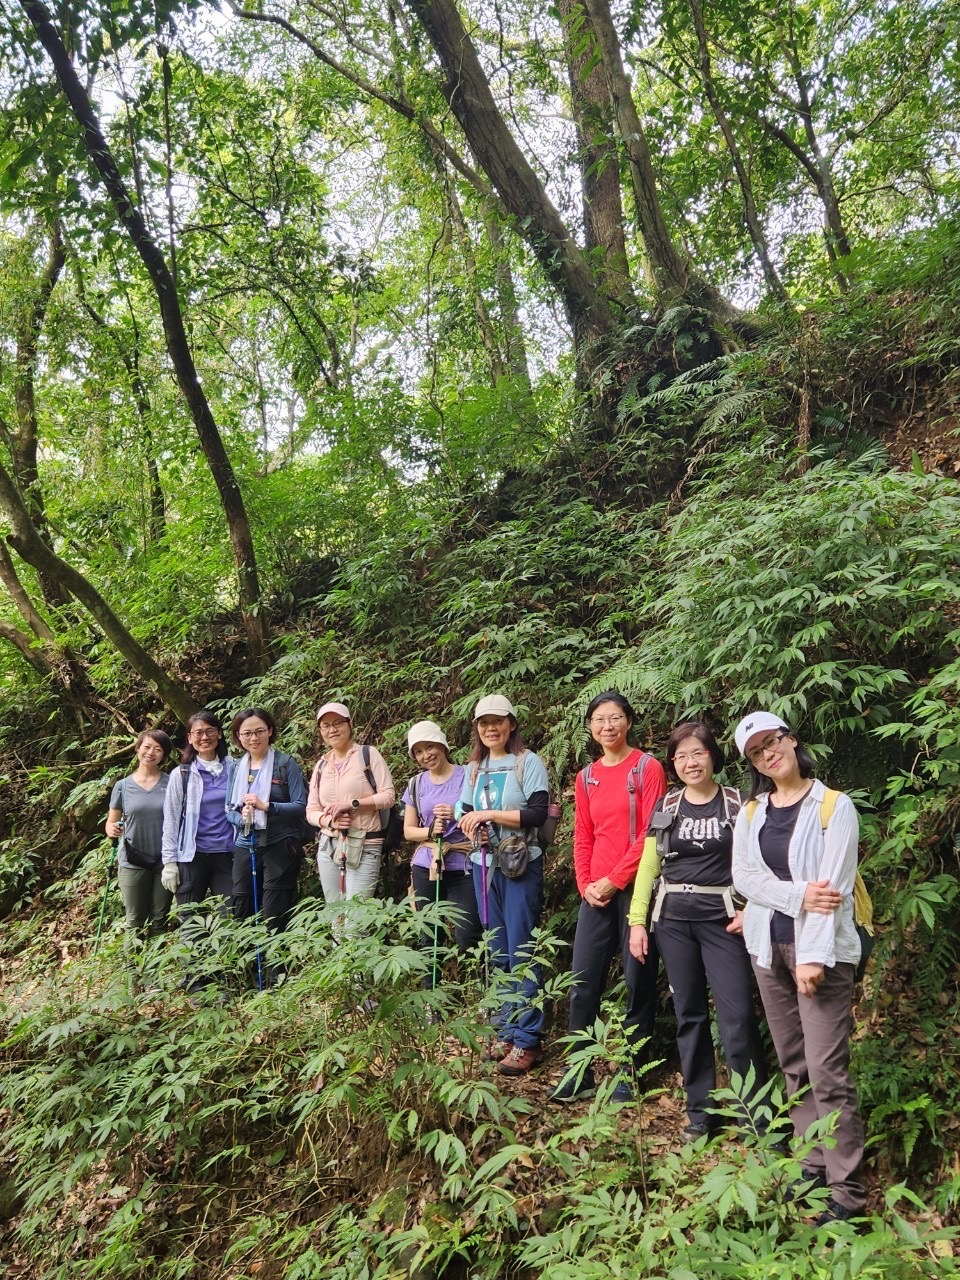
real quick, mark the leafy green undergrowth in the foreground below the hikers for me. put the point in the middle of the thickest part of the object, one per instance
(171, 1141)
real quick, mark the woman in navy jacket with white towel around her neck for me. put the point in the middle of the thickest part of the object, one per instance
(268, 802)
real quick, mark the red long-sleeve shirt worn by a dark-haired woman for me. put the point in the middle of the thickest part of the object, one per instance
(602, 821)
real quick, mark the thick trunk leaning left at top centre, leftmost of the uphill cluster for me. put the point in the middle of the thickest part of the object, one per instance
(536, 217)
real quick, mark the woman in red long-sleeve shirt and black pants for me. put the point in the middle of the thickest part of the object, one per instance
(615, 798)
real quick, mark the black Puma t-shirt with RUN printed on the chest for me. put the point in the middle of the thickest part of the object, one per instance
(701, 853)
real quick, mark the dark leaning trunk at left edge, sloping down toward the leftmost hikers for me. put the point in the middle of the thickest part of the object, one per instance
(31, 547)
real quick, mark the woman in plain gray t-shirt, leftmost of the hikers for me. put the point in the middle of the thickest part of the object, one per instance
(136, 819)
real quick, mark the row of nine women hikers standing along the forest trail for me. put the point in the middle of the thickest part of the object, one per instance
(670, 866)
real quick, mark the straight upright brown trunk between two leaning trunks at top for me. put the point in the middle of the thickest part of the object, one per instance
(598, 159)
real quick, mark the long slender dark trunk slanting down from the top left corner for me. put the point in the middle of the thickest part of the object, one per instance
(175, 332)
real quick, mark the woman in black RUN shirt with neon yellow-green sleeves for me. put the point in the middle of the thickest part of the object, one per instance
(698, 924)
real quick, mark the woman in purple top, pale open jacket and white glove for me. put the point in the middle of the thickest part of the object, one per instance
(198, 842)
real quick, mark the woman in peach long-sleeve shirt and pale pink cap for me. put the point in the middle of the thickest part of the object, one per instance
(351, 794)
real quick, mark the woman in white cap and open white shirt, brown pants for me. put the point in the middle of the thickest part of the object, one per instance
(797, 868)
